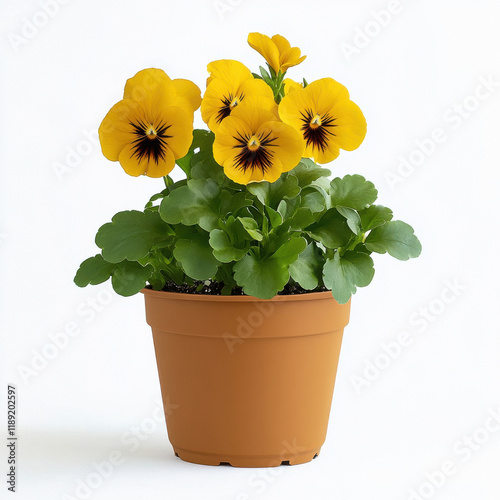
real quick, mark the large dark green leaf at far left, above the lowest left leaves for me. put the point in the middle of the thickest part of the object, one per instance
(130, 235)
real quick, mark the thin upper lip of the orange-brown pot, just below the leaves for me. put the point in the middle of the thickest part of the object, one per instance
(327, 295)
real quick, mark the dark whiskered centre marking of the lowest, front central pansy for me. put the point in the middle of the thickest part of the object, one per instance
(255, 151)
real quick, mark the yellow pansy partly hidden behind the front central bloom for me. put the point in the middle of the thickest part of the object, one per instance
(231, 83)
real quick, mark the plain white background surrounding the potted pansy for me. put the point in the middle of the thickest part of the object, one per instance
(418, 73)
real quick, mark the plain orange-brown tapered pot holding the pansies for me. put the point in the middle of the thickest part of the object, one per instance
(246, 381)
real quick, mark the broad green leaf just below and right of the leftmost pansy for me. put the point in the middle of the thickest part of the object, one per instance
(195, 203)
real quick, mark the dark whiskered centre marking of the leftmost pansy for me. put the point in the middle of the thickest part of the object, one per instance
(151, 140)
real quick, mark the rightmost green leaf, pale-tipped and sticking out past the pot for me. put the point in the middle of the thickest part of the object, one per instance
(396, 238)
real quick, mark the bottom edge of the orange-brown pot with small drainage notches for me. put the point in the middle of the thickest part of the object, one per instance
(246, 461)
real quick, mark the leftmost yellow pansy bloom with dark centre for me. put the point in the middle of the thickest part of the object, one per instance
(152, 126)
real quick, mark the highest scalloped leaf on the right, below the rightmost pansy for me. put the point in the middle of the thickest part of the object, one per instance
(352, 191)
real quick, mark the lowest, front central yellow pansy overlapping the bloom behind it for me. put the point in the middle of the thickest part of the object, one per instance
(253, 146)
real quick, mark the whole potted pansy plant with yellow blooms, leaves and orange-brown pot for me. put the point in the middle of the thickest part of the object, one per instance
(248, 263)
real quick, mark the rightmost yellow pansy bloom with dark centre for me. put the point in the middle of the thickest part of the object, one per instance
(326, 117)
